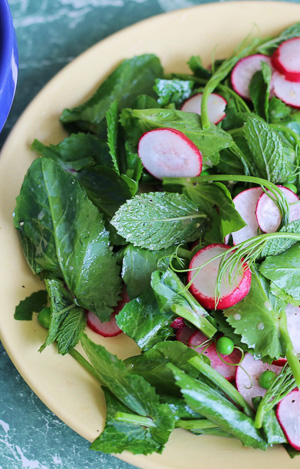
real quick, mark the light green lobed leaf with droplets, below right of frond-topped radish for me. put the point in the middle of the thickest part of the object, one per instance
(256, 319)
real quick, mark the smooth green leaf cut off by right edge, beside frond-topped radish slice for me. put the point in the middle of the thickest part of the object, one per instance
(284, 271)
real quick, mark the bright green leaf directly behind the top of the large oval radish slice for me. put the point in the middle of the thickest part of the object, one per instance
(209, 141)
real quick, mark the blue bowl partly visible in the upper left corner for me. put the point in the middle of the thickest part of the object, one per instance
(8, 61)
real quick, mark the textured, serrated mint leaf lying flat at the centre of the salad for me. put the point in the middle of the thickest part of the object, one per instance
(158, 220)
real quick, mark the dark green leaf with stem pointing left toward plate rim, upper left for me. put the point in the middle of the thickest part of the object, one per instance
(76, 152)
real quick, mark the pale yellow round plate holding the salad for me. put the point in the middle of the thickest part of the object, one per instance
(59, 381)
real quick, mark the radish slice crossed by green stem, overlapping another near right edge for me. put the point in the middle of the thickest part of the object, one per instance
(267, 212)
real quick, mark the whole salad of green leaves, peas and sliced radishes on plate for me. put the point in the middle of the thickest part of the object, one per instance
(170, 214)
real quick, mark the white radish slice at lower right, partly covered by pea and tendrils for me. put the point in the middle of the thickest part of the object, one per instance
(247, 376)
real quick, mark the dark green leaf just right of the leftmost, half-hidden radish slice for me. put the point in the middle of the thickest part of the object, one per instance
(142, 320)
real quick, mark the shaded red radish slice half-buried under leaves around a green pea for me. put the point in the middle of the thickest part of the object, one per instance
(225, 369)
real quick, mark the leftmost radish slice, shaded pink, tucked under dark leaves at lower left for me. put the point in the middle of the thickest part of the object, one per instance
(109, 328)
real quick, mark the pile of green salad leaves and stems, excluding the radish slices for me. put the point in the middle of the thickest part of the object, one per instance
(92, 220)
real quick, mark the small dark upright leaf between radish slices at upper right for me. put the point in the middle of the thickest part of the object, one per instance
(259, 90)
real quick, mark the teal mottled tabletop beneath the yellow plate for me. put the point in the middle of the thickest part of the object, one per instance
(50, 34)
